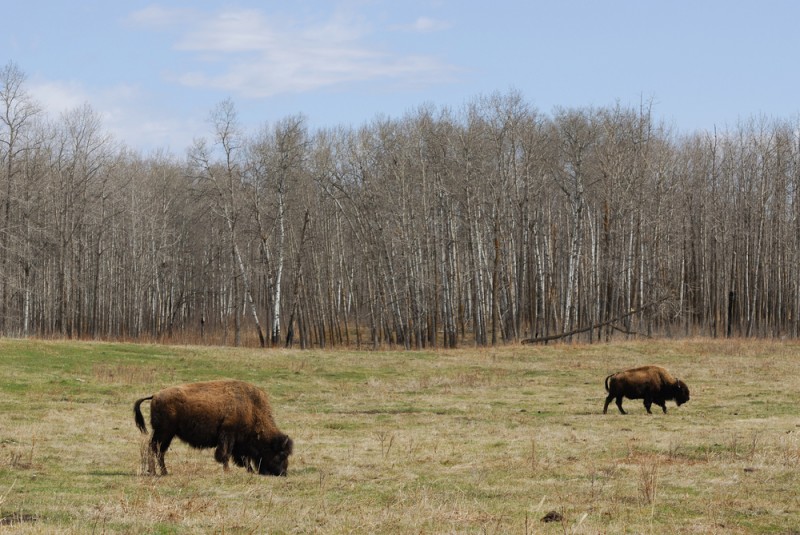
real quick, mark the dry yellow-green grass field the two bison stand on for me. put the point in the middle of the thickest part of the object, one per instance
(467, 441)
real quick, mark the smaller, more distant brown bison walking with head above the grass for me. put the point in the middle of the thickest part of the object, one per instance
(653, 384)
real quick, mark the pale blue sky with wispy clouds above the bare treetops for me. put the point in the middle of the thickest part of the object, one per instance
(154, 70)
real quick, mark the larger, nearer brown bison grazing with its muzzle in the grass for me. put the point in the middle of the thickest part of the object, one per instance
(233, 416)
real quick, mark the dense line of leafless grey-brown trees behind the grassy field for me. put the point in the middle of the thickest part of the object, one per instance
(489, 224)
